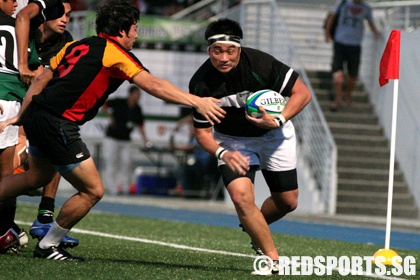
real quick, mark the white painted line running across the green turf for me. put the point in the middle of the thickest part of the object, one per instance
(184, 247)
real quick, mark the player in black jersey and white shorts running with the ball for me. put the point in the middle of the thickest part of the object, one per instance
(244, 144)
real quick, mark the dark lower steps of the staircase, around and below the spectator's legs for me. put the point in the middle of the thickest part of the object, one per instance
(363, 156)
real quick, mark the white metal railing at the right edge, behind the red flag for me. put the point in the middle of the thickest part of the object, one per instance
(403, 15)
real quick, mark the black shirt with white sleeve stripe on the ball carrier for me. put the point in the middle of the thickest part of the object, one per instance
(255, 71)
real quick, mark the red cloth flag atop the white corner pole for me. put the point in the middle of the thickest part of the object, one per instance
(390, 61)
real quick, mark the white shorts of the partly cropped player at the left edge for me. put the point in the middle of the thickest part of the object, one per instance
(9, 137)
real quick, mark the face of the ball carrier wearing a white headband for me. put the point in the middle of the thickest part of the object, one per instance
(224, 57)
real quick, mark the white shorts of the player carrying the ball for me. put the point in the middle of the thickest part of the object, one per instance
(274, 151)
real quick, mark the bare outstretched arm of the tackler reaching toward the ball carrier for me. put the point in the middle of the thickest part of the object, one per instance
(165, 90)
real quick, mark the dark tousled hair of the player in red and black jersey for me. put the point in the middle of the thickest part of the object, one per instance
(114, 16)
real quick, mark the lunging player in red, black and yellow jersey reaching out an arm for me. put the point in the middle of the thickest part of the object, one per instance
(68, 94)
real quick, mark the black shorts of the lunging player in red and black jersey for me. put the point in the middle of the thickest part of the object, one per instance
(58, 139)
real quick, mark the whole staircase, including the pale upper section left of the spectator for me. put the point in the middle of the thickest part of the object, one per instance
(363, 151)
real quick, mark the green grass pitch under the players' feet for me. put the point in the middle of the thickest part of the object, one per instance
(121, 247)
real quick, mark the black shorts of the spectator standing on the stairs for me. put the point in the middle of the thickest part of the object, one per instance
(346, 54)
